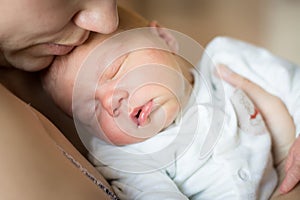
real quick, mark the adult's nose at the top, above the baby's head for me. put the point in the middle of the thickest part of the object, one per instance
(98, 16)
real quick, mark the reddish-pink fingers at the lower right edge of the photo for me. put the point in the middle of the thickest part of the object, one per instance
(292, 168)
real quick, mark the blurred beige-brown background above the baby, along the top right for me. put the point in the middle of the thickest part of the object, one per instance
(273, 24)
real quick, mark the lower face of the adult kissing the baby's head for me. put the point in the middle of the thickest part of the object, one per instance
(32, 32)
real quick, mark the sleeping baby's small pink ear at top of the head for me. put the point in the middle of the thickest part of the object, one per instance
(165, 35)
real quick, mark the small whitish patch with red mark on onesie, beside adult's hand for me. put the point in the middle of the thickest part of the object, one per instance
(249, 118)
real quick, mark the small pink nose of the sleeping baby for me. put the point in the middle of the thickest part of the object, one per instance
(111, 100)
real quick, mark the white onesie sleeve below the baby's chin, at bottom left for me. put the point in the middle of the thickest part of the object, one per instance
(132, 175)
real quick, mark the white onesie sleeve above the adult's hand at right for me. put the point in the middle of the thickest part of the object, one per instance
(276, 75)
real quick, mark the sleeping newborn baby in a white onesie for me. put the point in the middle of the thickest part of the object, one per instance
(161, 129)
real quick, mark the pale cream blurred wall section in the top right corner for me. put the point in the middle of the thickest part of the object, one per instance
(281, 33)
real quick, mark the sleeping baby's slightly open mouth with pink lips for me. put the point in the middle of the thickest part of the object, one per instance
(140, 114)
